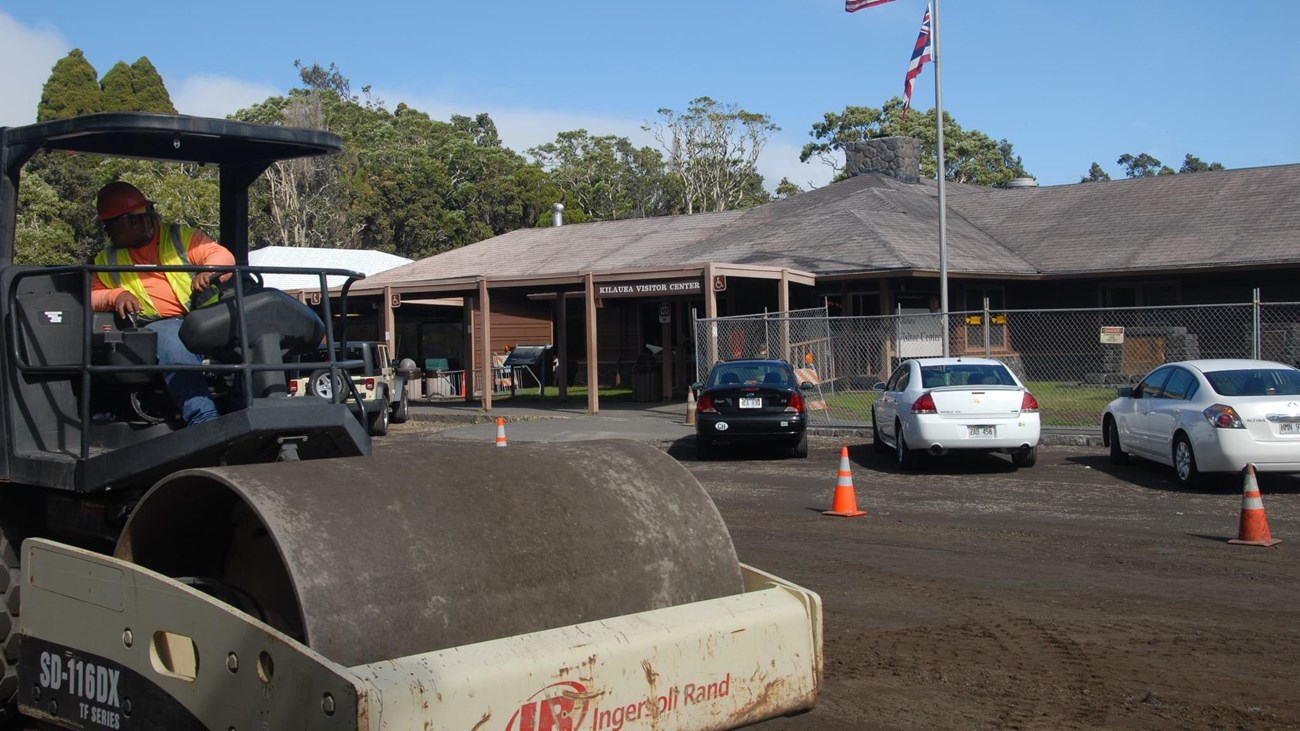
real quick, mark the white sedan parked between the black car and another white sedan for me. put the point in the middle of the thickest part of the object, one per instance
(937, 405)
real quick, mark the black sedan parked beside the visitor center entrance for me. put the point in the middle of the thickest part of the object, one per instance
(751, 403)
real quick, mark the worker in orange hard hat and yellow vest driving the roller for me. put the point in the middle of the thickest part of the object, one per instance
(161, 300)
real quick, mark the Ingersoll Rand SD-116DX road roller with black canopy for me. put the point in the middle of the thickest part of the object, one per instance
(270, 570)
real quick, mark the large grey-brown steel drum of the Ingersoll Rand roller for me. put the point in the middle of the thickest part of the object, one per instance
(436, 544)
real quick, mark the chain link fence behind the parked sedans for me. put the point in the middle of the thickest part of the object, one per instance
(1073, 361)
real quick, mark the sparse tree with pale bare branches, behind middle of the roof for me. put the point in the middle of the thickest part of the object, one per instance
(713, 149)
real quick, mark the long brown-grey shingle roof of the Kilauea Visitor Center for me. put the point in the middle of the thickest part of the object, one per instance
(874, 223)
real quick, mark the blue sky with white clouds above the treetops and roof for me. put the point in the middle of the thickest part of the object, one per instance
(1067, 83)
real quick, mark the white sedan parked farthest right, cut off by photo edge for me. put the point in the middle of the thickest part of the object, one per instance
(1210, 417)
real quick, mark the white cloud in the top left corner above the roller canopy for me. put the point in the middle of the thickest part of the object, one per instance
(27, 58)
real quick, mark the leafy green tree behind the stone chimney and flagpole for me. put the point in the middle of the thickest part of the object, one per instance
(972, 157)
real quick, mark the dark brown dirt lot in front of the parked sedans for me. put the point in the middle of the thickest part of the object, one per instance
(1072, 595)
